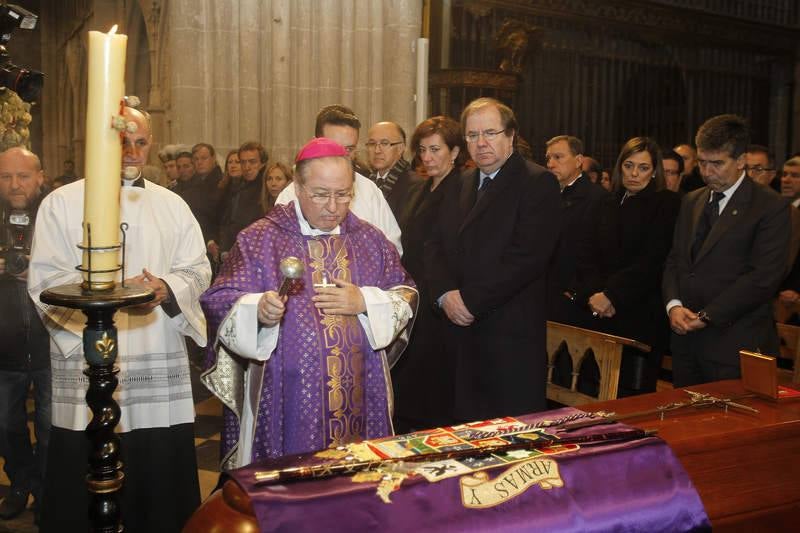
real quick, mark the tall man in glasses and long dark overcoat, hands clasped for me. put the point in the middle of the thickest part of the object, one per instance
(486, 265)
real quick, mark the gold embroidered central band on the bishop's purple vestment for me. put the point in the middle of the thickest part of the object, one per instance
(341, 336)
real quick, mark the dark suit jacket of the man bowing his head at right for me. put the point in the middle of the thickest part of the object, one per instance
(735, 274)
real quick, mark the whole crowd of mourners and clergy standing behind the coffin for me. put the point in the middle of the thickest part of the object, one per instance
(427, 286)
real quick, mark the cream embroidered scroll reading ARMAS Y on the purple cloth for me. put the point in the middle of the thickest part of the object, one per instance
(478, 491)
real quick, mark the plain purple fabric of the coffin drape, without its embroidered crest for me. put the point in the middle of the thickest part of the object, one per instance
(630, 486)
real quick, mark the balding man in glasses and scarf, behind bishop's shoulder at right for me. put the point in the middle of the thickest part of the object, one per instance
(390, 172)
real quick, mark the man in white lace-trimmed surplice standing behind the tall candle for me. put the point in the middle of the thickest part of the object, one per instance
(166, 252)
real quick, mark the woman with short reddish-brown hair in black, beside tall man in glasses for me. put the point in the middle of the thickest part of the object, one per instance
(423, 377)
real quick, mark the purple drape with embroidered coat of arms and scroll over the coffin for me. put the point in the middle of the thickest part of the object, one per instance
(636, 485)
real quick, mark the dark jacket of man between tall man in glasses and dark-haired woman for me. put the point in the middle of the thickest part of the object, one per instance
(586, 251)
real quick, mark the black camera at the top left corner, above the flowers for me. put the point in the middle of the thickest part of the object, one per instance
(25, 82)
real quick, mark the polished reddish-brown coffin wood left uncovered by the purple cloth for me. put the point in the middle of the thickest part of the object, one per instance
(745, 466)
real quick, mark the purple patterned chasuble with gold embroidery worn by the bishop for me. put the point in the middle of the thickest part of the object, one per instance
(324, 383)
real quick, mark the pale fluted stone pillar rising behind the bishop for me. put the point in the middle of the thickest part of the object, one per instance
(260, 69)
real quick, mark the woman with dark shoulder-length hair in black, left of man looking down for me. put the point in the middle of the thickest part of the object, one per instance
(630, 305)
